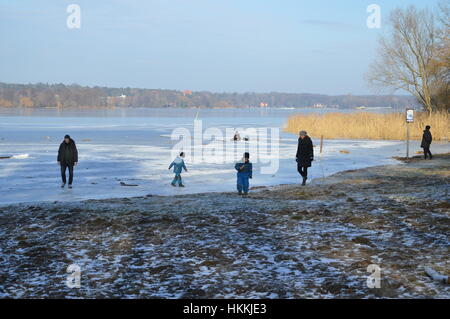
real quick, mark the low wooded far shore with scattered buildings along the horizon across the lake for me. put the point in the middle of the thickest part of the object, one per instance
(65, 96)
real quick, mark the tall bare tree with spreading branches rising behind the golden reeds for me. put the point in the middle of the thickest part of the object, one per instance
(406, 54)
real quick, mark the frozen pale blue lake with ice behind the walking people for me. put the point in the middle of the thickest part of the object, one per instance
(134, 146)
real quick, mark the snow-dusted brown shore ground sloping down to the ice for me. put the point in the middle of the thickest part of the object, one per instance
(279, 242)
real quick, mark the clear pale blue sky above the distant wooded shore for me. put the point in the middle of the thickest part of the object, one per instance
(216, 45)
